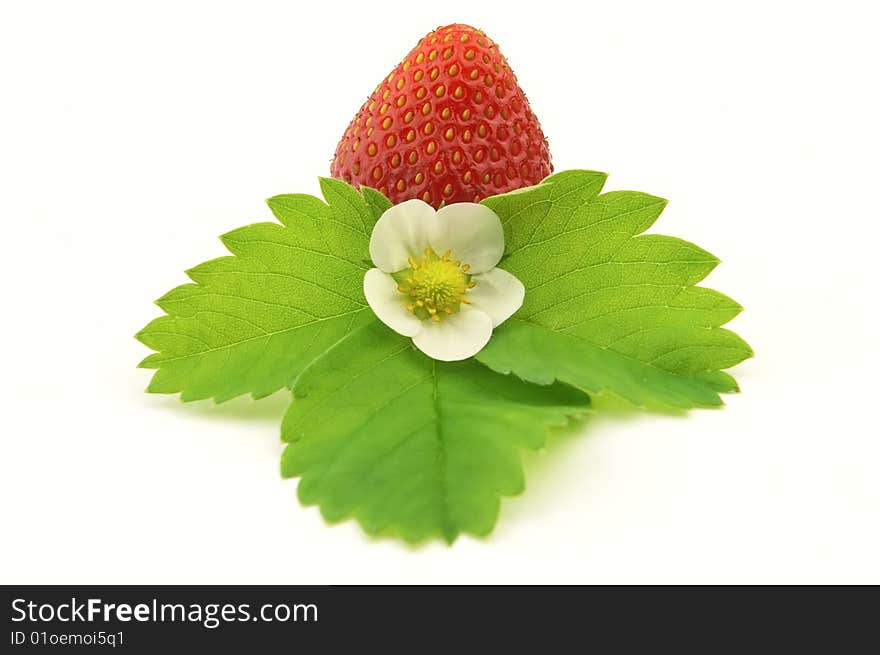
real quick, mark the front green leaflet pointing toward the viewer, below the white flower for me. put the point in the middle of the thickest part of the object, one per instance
(411, 446)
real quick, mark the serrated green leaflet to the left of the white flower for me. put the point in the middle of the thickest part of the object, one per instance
(251, 322)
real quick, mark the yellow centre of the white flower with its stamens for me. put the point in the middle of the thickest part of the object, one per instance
(434, 286)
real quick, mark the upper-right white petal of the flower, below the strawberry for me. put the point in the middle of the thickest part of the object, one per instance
(472, 232)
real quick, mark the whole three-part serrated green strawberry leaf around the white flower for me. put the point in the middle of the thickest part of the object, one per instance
(418, 448)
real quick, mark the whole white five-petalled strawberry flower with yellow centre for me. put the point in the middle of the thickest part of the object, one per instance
(436, 279)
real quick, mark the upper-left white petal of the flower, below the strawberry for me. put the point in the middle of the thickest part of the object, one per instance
(401, 232)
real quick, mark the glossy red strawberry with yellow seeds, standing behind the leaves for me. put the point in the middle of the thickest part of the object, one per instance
(449, 124)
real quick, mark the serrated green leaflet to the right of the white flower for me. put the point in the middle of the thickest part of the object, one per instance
(607, 307)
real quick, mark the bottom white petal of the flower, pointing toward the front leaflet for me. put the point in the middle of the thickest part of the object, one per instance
(456, 337)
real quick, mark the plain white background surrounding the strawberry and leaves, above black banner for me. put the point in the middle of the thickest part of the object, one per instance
(132, 134)
